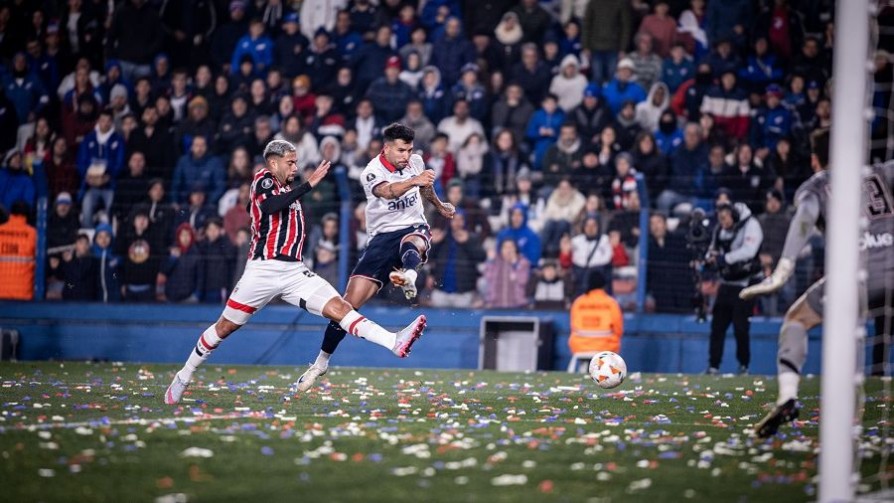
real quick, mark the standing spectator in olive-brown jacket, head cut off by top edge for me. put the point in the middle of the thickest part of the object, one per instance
(605, 34)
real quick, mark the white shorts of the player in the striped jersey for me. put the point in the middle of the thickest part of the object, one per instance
(263, 280)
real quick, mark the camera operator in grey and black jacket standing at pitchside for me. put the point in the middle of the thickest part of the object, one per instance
(734, 251)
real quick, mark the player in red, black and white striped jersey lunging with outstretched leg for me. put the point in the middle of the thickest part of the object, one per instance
(274, 269)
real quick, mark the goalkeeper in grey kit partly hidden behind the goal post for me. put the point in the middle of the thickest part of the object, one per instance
(877, 243)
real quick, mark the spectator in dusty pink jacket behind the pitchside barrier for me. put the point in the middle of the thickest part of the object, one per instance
(506, 277)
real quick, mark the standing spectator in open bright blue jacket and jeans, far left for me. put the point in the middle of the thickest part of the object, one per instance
(100, 159)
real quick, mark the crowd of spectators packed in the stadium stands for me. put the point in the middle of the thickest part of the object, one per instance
(142, 122)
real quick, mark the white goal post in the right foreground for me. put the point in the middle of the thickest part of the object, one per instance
(840, 326)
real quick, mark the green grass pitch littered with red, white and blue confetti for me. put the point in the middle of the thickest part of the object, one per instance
(100, 432)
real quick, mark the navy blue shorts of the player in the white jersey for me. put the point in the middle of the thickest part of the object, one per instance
(382, 254)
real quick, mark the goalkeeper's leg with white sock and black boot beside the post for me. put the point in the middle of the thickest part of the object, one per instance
(803, 315)
